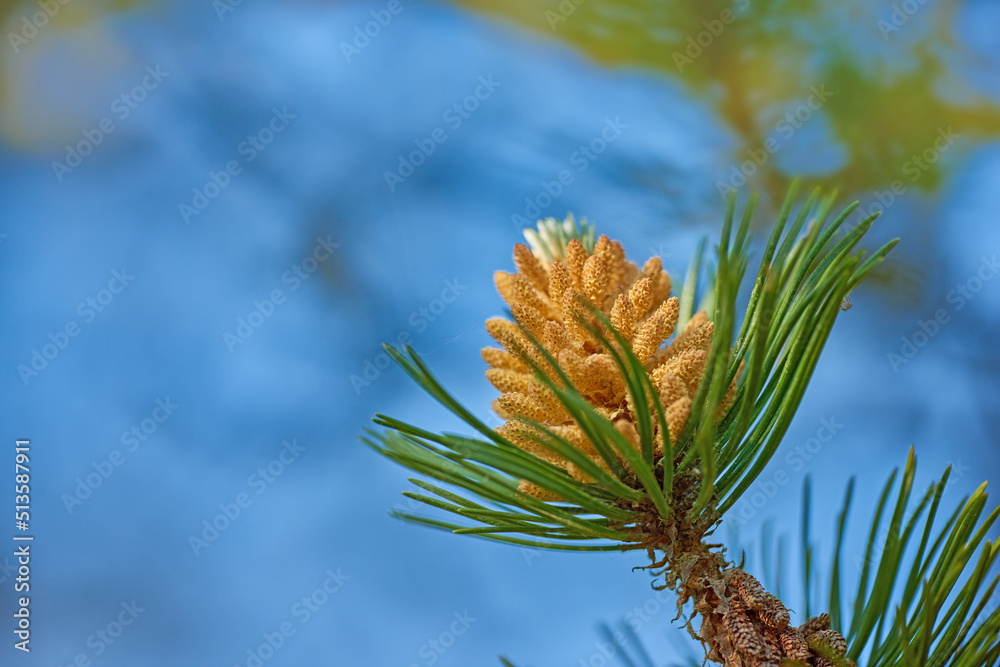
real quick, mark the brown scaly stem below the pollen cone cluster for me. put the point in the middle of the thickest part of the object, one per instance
(741, 623)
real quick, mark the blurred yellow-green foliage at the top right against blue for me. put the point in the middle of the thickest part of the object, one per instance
(898, 74)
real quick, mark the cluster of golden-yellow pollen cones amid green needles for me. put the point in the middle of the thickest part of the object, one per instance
(546, 297)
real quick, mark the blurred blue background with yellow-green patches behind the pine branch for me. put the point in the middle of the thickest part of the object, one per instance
(211, 153)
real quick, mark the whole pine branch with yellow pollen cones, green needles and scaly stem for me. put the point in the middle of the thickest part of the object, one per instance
(615, 441)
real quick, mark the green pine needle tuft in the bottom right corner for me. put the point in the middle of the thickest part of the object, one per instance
(915, 606)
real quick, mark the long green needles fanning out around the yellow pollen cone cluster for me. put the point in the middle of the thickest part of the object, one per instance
(798, 288)
